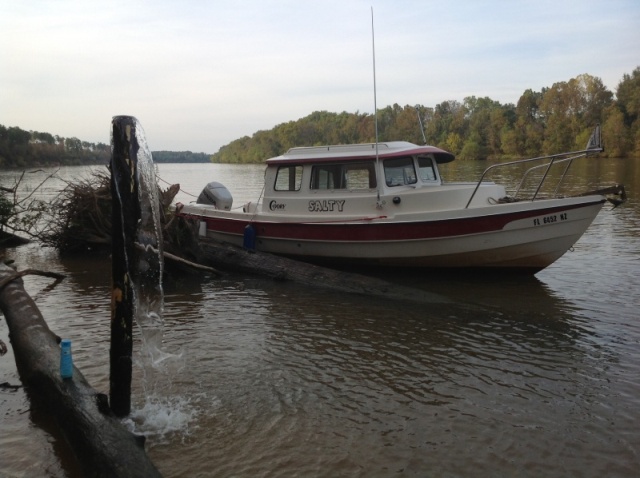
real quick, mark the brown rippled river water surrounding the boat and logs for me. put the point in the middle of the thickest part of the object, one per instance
(527, 377)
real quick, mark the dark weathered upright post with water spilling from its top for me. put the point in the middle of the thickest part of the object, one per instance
(126, 213)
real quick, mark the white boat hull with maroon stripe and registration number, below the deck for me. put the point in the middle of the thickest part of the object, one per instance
(523, 236)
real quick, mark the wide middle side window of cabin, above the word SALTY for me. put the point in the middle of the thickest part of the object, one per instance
(343, 176)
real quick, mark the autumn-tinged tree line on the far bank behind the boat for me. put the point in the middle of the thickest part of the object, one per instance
(556, 119)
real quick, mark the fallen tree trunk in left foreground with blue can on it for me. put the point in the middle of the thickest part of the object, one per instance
(101, 443)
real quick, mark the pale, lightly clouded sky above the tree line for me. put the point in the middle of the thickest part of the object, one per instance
(200, 74)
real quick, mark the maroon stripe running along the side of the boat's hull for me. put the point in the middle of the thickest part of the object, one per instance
(374, 231)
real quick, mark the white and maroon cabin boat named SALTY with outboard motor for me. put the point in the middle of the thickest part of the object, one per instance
(386, 204)
